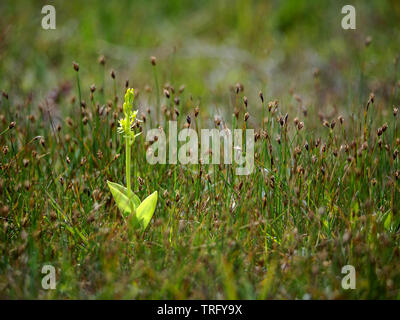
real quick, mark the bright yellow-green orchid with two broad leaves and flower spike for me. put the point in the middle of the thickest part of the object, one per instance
(137, 213)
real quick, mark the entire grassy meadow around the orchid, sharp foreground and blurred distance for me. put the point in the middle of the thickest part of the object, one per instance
(323, 102)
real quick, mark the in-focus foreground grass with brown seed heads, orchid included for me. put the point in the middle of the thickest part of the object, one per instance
(321, 182)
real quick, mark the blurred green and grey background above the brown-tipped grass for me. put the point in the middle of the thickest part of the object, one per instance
(208, 46)
